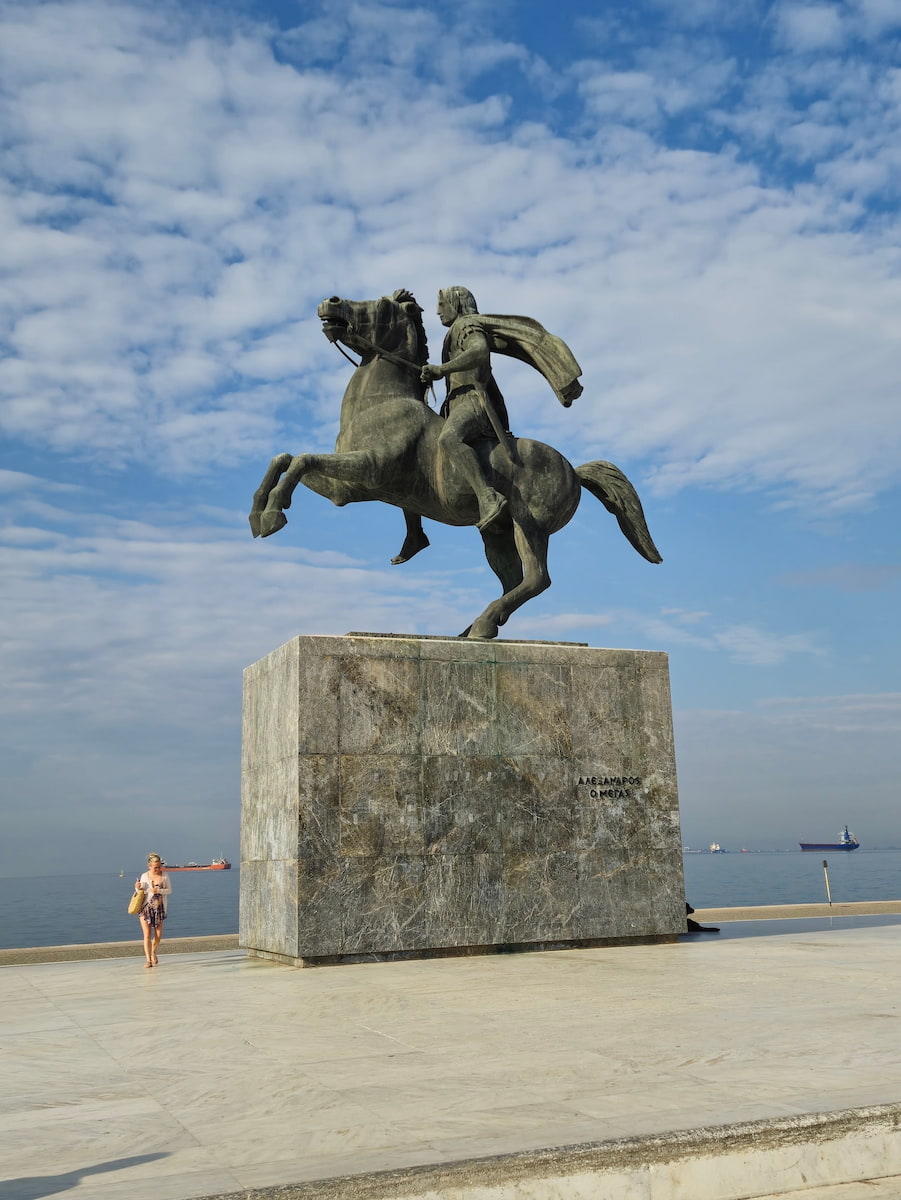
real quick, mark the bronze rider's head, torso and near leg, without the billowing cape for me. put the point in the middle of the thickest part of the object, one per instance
(473, 397)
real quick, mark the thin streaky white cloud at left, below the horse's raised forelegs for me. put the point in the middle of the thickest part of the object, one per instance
(161, 611)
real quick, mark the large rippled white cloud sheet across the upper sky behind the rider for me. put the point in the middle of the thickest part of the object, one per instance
(722, 325)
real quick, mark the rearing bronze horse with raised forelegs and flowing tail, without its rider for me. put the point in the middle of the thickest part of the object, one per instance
(388, 451)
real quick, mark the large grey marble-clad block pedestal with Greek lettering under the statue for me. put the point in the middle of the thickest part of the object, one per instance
(416, 795)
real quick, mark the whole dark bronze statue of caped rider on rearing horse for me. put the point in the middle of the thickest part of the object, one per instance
(462, 467)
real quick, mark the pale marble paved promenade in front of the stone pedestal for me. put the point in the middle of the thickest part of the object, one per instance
(214, 1073)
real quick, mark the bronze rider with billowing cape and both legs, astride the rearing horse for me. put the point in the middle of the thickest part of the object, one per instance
(474, 407)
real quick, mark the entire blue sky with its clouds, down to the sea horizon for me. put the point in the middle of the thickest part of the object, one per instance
(701, 197)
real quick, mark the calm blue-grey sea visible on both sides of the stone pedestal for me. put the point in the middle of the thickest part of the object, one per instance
(46, 911)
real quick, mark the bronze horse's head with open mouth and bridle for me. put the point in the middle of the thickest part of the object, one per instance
(392, 323)
